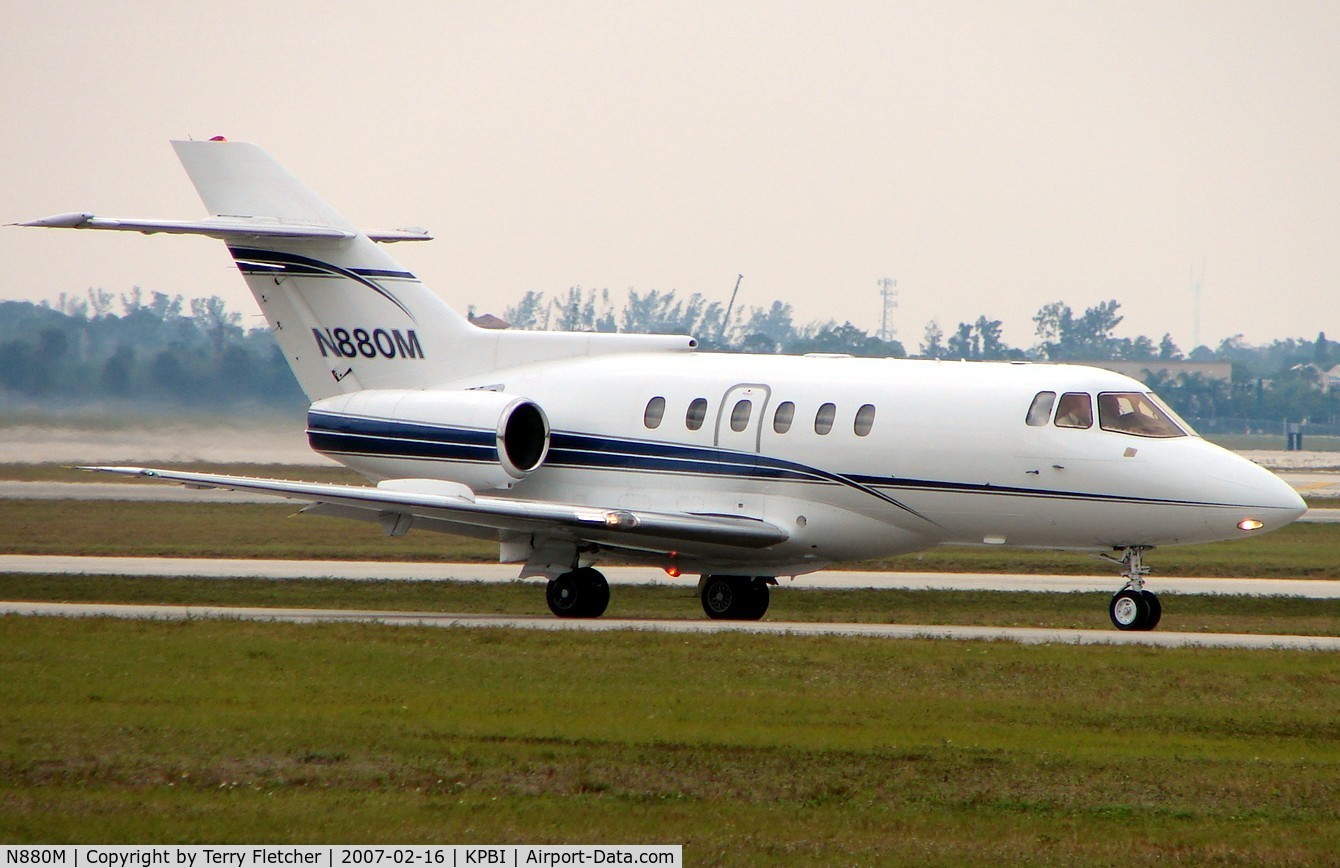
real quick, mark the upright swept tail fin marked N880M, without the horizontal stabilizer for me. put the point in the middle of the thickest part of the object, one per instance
(345, 314)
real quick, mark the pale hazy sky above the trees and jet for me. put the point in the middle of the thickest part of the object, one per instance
(991, 157)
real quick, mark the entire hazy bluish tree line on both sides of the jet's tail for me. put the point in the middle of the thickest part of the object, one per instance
(168, 350)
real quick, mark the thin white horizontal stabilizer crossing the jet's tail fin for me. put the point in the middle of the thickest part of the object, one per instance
(226, 228)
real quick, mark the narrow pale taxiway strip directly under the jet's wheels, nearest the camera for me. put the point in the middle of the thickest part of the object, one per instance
(786, 629)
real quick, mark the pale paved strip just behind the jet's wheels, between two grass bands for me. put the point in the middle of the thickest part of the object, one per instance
(837, 579)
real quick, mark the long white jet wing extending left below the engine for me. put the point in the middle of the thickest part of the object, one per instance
(396, 500)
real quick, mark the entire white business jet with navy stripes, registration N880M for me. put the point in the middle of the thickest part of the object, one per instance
(572, 449)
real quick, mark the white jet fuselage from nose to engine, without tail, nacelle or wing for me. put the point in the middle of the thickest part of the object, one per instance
(949, 459)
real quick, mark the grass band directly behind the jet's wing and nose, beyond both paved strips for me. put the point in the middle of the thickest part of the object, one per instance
(115, 528)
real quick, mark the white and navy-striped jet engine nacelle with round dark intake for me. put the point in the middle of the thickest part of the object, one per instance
(484, 440)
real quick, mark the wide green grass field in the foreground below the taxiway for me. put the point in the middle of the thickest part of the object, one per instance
(746, 749)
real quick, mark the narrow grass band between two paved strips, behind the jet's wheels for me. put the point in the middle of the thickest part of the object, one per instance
(994, 609)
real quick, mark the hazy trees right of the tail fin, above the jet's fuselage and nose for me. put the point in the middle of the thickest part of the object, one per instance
(1270, 384)
